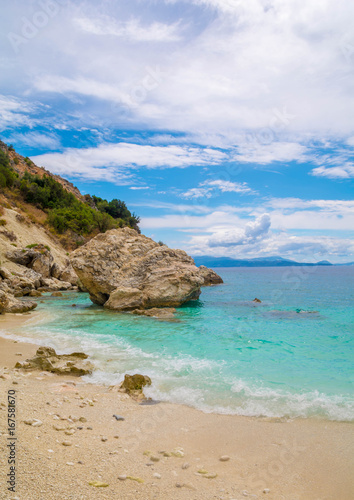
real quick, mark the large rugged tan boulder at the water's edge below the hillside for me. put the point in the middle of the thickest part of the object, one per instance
(124, 270)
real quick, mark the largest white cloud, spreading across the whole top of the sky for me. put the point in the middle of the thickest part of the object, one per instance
(243, 63)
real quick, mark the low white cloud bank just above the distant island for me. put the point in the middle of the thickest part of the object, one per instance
(226, 230)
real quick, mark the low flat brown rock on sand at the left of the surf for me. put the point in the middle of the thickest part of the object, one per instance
(46, 359)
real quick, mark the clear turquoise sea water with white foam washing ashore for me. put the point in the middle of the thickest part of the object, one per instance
(226, 354)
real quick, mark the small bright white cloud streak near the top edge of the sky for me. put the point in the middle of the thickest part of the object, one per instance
(131, 30)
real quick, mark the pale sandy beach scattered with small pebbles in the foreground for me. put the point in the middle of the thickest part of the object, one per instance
(161, 451)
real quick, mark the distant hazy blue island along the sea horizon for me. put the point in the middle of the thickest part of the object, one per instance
(209, 261)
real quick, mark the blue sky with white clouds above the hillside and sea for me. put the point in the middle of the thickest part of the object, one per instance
(227, 125)
